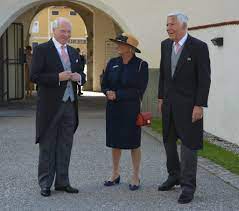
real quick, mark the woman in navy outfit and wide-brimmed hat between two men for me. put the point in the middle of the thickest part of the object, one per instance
(124, 83)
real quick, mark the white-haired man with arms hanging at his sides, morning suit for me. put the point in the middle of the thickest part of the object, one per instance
(183, 92)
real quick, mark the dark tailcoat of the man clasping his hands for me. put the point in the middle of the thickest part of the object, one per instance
(45, 69)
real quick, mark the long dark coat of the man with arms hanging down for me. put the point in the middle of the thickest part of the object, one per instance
(189, 87)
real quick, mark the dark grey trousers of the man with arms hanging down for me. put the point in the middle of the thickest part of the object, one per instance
(184, 170)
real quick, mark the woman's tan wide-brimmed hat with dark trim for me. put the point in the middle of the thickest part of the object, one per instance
(127, 39)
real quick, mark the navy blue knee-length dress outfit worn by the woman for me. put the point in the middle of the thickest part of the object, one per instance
(129, 83)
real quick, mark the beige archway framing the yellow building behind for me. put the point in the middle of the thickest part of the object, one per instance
(96, 16)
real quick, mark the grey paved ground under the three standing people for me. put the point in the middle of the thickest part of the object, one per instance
(90, 165)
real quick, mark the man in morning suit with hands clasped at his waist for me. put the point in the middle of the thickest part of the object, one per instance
(56, 69)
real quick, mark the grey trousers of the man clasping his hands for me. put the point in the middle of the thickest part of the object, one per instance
(55, 148)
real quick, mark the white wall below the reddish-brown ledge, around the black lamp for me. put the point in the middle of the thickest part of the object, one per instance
(222, 114)
